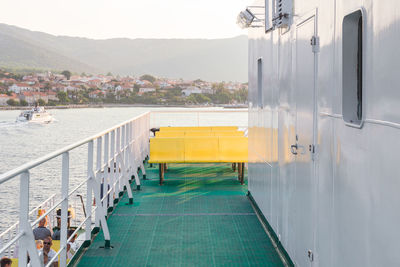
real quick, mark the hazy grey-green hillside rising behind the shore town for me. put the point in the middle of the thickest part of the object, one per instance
(212, 60)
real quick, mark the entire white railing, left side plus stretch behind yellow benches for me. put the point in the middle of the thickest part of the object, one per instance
(117, 153)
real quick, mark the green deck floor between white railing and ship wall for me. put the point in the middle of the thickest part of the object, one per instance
(201, 216)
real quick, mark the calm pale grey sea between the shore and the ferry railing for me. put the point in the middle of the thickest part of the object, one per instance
(22, 142)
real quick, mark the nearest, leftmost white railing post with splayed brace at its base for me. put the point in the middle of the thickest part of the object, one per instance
(27, 241)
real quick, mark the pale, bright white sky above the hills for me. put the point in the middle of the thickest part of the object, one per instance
(104, 19)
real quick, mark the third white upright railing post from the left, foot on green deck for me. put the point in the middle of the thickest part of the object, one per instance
(88, 226)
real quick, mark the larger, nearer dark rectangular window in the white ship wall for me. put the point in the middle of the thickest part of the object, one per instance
(352, 68)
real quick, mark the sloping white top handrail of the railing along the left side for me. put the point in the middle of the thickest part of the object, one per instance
(27, 166)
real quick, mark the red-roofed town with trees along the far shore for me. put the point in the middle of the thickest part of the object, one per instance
(67, 89)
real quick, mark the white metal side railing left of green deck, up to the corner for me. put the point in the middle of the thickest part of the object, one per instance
(119, 152)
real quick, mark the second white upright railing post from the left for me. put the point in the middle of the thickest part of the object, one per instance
(64, 208)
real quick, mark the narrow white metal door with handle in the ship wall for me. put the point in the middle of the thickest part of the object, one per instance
(305, 69)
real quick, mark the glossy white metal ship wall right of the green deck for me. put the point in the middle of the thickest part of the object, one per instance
(344, 209)
